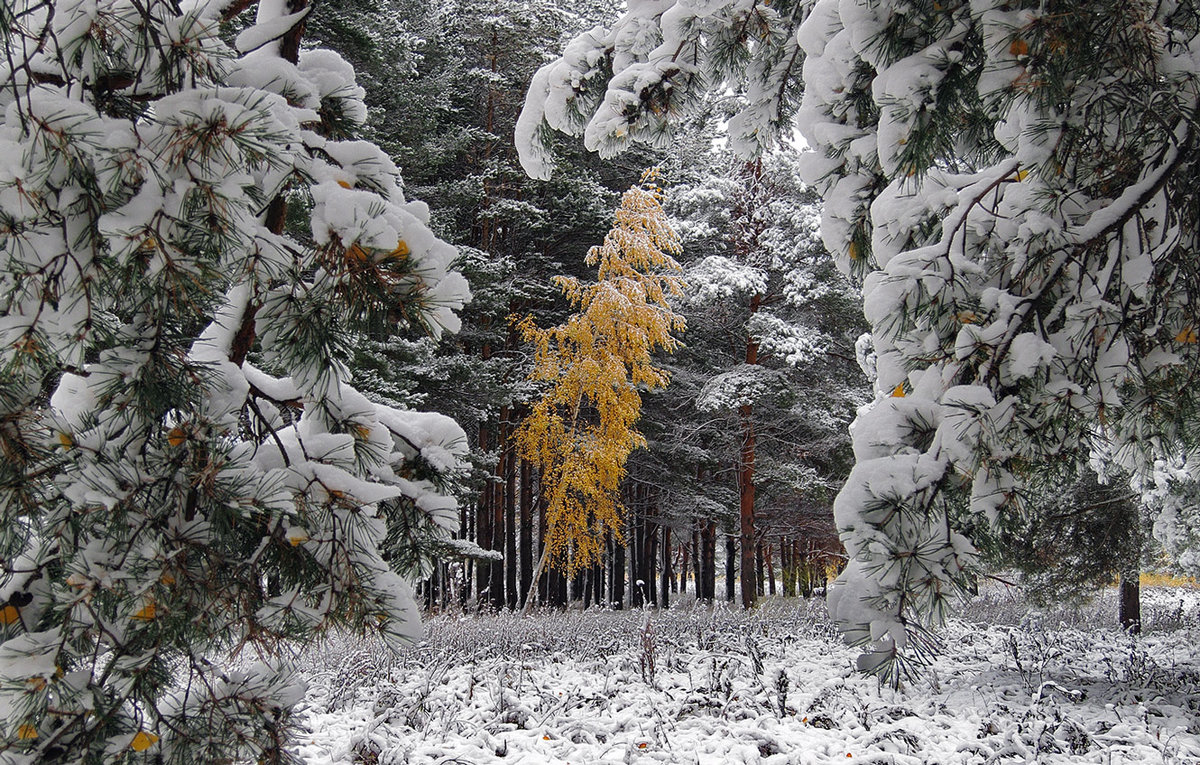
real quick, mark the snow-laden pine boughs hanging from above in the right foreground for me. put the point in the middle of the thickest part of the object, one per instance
(1016, 186)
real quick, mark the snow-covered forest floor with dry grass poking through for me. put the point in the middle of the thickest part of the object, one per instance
(718, 685)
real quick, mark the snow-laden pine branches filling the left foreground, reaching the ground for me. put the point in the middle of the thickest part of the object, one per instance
(188, 469)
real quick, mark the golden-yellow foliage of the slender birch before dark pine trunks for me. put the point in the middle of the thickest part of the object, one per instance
(583, 431)
